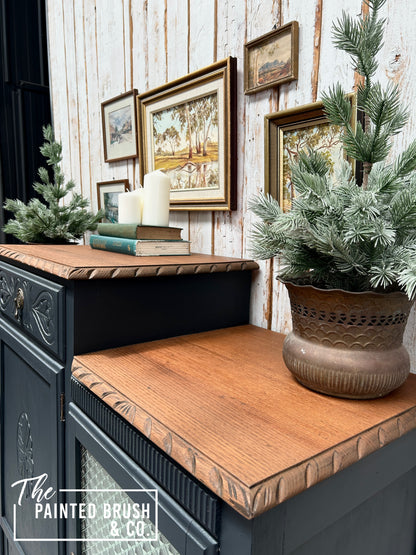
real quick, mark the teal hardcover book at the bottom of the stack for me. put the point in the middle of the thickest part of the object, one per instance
(140, 247)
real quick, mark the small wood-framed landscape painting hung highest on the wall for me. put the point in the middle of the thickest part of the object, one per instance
(271, 59)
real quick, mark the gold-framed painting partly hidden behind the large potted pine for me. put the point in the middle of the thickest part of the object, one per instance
(289, 132)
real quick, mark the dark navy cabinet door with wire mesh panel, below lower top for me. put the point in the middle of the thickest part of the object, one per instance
(108, 481)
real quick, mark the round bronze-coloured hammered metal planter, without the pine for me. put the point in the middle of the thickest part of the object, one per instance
(347, 344)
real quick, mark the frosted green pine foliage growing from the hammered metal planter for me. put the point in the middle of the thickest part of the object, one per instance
(338, 234)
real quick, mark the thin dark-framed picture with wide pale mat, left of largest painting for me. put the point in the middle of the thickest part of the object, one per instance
(119, 127)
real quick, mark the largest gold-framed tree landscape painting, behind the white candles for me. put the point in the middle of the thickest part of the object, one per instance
(188, 130)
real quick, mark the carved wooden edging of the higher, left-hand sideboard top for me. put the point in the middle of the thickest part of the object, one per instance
(84, 273)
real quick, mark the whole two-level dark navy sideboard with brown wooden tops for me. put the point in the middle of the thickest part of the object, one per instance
(120, 374)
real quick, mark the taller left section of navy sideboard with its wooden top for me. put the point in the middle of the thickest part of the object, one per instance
(57, 301)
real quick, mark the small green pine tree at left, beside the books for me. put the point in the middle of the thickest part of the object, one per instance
(52, 221)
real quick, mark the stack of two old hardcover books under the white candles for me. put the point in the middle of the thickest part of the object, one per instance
(140, 240)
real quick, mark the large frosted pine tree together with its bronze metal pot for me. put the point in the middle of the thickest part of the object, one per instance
(348, 252)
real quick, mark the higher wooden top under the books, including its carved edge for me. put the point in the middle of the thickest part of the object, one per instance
(82, 262)
